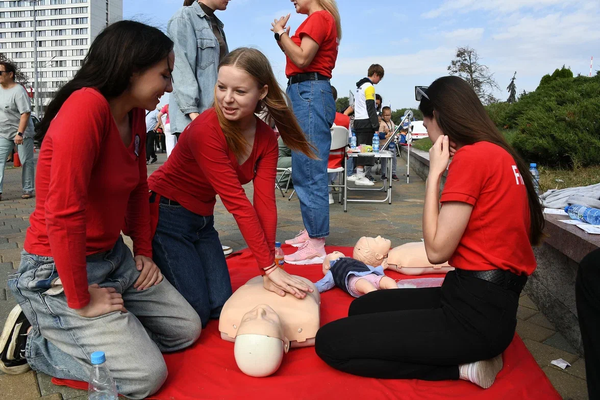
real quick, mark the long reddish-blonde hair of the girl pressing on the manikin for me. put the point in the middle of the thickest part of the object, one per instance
(257, 65)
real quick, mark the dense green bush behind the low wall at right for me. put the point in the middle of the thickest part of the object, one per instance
(558, 123)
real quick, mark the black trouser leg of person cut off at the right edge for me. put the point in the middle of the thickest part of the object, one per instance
(587, 292)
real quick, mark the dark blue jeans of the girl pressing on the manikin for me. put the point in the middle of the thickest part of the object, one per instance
(187, 249)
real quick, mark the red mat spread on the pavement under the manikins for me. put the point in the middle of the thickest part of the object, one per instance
(207, 370)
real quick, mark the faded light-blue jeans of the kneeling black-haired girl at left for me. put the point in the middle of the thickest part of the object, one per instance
(61, 341)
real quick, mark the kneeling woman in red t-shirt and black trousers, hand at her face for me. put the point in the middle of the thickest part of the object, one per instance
(489, 218)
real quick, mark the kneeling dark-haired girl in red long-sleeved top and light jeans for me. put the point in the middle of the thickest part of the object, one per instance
(80, 287)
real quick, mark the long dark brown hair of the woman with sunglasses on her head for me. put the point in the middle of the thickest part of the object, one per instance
(461, 116)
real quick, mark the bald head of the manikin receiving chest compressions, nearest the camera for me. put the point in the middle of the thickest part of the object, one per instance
(260, 342)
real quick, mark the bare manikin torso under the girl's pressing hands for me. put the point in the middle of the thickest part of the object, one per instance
(300, 318)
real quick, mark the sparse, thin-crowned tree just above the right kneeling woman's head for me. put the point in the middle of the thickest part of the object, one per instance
(466, 65)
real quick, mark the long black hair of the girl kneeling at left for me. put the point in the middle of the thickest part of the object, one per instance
(119, 51)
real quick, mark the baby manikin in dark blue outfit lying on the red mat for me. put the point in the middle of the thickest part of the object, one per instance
(352, 276)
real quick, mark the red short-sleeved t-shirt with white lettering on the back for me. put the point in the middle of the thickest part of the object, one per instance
(497, 235)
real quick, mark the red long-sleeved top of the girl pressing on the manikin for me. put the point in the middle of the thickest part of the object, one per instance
(202, 166)
